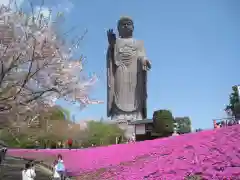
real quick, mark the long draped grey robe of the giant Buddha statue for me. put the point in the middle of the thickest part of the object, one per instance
(126, 79)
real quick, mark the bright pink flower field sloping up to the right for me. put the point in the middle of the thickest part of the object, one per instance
(214, 154)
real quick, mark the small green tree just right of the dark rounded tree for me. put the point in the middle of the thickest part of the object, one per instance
(183, 125)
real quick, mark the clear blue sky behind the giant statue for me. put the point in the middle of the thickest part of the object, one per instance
(193, 47)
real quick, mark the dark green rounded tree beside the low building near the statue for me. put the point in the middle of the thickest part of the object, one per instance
(163, 122)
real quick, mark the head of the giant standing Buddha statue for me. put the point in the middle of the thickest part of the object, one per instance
(125, 28)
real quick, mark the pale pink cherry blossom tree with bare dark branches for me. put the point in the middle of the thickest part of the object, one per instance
(36, 66)
